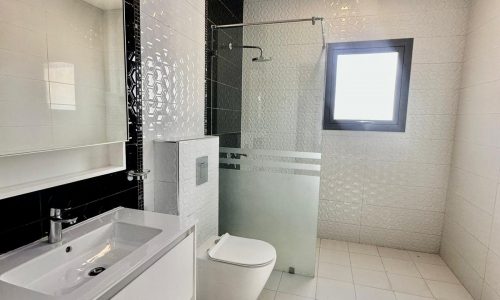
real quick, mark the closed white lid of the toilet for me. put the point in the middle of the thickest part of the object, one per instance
(242, 251)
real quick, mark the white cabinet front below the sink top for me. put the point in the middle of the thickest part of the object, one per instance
(172, 277)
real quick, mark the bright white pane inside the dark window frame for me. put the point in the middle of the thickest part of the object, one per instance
(365, 86)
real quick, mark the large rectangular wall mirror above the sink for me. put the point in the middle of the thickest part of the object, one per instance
(62, 75)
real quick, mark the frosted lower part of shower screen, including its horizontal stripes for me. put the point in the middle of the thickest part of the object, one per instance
(272, 196)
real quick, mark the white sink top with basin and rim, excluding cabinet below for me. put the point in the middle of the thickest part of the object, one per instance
(96, 258)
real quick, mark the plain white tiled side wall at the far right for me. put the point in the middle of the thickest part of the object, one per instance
(470, 229)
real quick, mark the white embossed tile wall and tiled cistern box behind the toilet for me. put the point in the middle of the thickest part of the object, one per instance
(173, 70)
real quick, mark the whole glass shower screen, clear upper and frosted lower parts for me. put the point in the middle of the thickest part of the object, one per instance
(265, 103)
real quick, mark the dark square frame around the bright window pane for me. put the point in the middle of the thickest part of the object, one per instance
(405, 48)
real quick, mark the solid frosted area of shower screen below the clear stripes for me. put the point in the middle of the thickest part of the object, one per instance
(278, 208)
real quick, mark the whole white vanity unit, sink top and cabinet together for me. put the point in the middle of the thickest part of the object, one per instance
(121, 254)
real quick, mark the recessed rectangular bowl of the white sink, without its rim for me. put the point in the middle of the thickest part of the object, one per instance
(65, 268)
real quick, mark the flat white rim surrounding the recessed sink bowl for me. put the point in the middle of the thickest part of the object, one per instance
(119, 274)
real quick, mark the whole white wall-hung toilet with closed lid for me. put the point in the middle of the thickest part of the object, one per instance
(232, 267)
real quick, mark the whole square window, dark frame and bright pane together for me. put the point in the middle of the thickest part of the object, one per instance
(367, 85)
